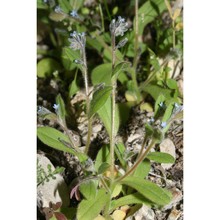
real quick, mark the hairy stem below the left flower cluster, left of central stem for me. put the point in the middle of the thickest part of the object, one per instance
(85, 74)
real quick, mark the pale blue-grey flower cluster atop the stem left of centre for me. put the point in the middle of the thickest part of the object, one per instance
(78, 40)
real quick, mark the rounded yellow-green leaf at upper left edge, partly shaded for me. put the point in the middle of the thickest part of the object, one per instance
(46, 67)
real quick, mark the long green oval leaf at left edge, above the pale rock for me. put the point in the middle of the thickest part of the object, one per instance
(51, 137)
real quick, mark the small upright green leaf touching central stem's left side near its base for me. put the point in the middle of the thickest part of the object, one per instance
(103, 156)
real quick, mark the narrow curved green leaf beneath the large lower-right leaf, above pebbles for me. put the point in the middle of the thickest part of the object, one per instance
(135, 198)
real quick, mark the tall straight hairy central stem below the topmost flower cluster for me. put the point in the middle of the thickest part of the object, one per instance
(112, 138)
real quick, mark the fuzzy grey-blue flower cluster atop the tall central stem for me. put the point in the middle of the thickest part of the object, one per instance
(118, 27)
